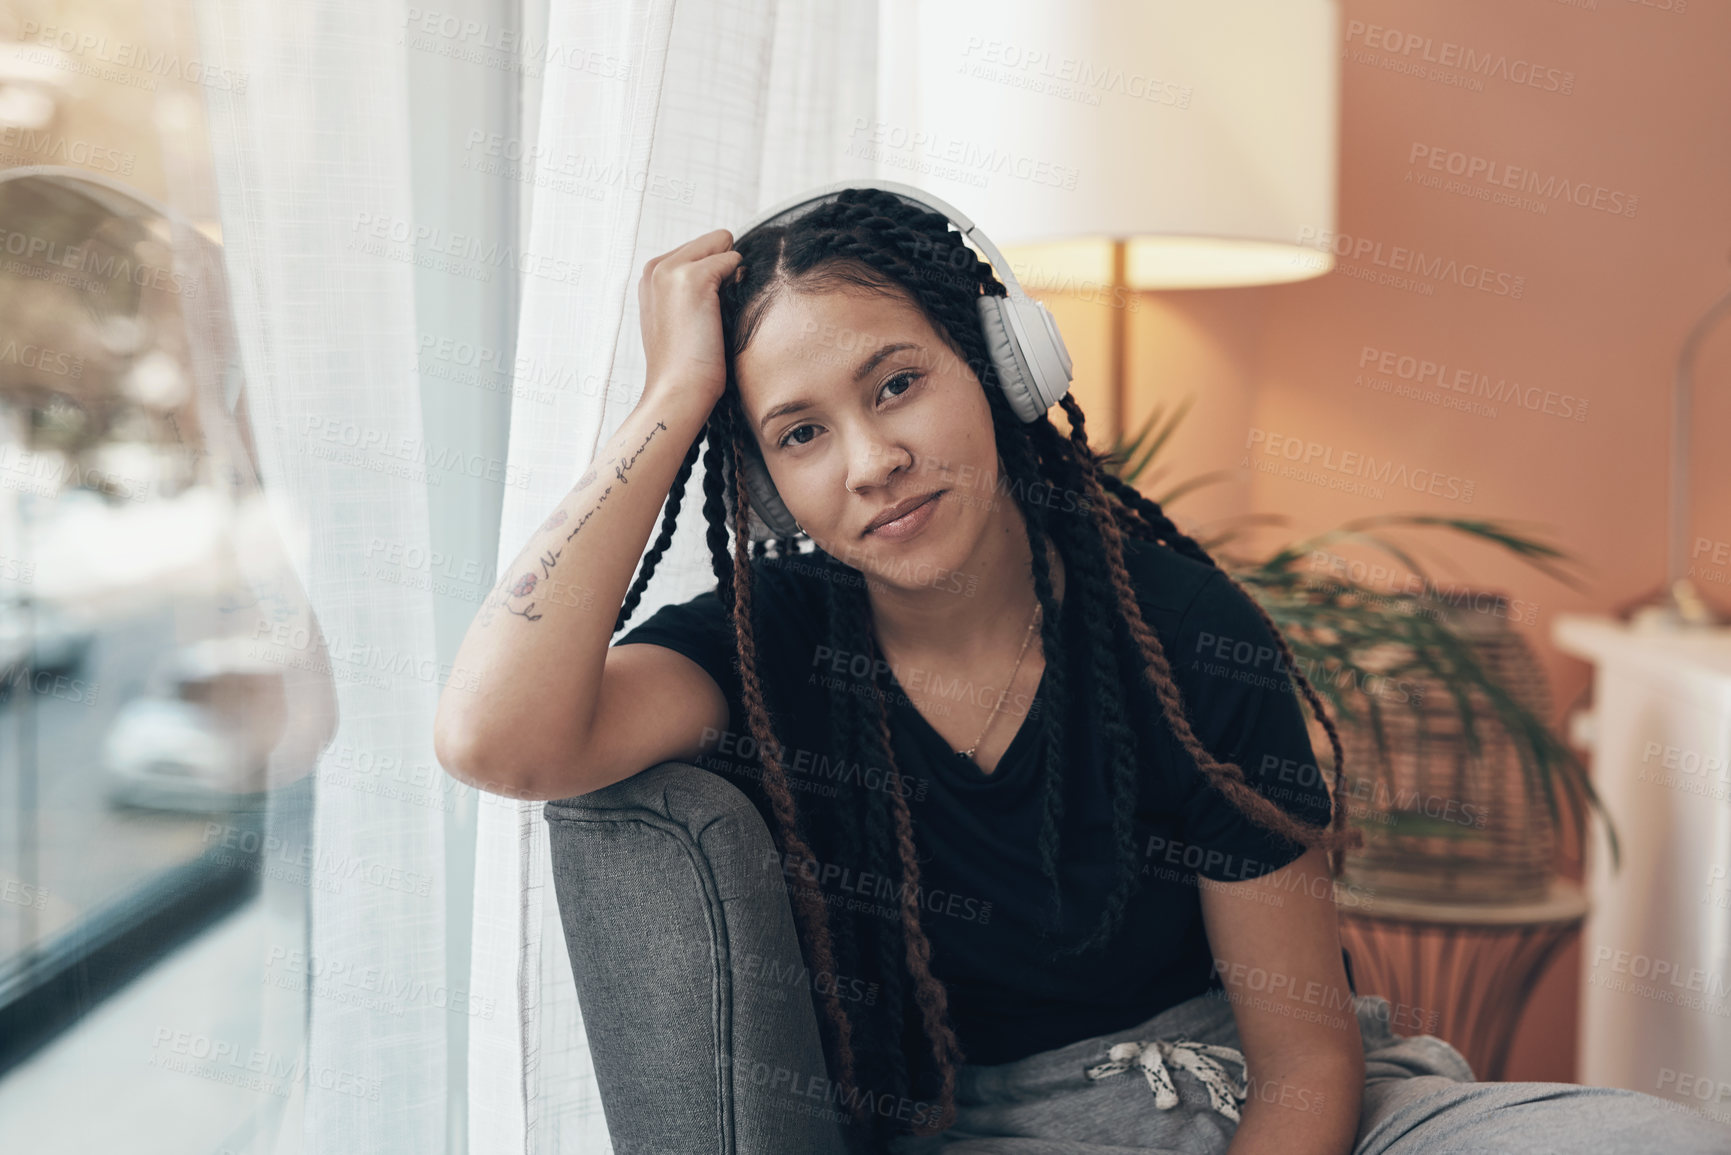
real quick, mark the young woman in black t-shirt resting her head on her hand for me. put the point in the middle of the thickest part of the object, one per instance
(1036, 766)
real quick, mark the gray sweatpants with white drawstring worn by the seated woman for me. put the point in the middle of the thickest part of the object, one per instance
(1176, 1083)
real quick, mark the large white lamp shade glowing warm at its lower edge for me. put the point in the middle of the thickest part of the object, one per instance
(1202, 132)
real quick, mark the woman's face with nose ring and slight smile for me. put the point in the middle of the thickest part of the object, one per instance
(859, 406)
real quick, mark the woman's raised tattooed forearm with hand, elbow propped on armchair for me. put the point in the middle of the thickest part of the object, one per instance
(536, 655)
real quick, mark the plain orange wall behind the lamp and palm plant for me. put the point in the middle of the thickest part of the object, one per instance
(1604, 302)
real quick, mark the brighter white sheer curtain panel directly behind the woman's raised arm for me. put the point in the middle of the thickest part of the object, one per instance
(728, 106)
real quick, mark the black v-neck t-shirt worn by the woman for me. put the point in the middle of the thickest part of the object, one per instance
(984, 898)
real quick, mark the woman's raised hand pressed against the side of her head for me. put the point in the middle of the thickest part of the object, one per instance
(683, 318)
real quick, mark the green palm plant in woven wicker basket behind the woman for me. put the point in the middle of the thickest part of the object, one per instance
(1451, 771)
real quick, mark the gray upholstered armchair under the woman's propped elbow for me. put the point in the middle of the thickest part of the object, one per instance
(700, 1016)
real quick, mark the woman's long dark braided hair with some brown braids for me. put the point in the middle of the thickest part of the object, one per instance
(872, 240)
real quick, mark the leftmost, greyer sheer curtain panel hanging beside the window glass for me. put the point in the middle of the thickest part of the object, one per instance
(307, 158)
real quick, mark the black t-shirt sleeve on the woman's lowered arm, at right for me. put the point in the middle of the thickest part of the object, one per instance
(1245, 709)
